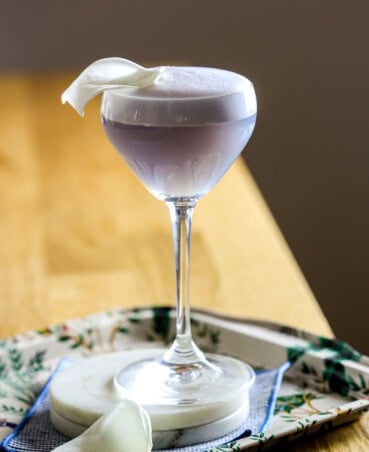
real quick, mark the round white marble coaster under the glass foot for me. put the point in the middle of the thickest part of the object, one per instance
(79, 395)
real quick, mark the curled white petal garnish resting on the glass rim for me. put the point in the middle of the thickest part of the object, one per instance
(104, 74)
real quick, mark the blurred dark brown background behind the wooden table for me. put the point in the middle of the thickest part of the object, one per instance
(309, 61)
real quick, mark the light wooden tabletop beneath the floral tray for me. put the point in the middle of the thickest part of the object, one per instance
(80, 234)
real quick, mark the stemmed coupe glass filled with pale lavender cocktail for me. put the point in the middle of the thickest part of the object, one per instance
(179, 137)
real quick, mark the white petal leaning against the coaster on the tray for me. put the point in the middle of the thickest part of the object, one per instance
(126, 428)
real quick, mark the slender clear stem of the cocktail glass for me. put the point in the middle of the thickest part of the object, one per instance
(183, 350)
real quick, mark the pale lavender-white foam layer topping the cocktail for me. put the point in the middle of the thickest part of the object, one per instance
(183, 95)
